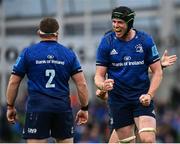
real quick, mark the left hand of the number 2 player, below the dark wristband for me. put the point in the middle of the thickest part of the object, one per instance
(11, 115)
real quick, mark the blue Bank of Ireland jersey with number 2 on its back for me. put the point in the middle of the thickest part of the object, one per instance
(49, 66)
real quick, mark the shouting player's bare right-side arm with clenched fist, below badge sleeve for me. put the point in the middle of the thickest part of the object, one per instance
(157, 75)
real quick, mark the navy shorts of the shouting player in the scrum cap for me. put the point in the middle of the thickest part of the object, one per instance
(123, 114)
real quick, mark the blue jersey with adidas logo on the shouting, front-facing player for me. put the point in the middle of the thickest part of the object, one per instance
(127, 64)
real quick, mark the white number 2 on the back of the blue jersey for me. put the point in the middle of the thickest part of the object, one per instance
(51, 74)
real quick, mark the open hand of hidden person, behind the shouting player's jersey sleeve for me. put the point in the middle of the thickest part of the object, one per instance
(167, 60)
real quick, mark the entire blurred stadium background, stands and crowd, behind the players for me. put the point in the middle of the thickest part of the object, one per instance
(83, 22)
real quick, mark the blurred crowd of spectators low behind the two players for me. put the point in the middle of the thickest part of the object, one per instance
(97, 130)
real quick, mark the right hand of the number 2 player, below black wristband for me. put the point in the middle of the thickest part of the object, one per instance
(81, 117)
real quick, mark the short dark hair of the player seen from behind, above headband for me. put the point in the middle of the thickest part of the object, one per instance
(48, 25)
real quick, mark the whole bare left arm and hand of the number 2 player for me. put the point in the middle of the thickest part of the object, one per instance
(11, 95)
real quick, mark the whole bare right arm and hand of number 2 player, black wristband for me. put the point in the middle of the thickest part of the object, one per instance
(81, 85)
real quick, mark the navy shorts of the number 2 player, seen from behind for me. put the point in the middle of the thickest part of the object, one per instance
(40, 125)
